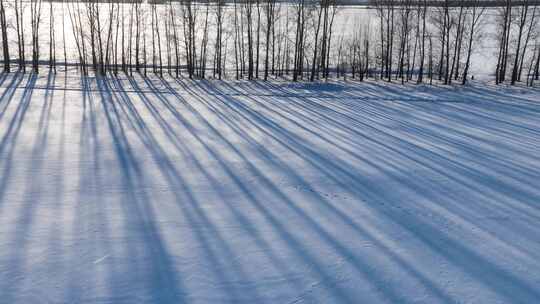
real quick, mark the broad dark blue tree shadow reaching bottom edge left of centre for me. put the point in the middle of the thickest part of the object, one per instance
(165, 285)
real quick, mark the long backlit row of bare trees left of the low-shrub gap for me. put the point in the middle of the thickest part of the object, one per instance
(172, 37)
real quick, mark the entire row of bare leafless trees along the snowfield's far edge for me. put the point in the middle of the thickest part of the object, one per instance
(402, 40)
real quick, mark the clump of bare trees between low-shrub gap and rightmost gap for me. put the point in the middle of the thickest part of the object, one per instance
(423, 41)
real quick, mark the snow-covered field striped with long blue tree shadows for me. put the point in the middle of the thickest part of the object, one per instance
(151, 191)
